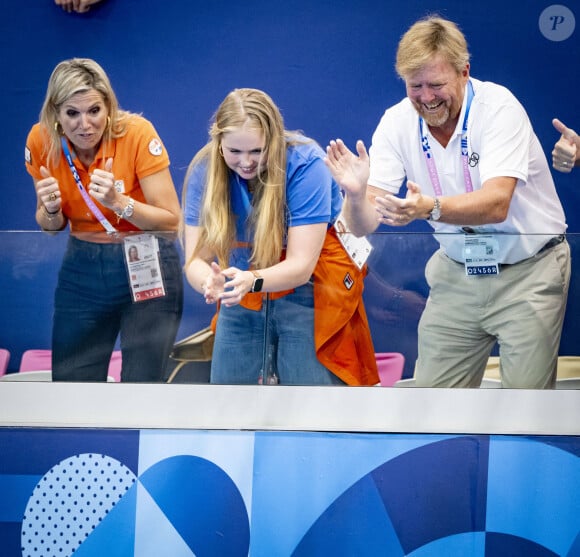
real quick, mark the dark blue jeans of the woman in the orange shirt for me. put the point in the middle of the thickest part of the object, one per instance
(93, 306)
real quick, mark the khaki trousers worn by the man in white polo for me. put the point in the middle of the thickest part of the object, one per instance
(522, 309)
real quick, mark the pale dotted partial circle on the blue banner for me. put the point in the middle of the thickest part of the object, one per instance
(70, 501)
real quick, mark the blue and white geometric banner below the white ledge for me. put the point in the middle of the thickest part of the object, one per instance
(287, 494)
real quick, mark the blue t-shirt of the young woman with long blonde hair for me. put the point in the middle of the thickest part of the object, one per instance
(312, 196)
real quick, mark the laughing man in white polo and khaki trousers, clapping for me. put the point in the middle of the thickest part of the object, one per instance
(476, 170)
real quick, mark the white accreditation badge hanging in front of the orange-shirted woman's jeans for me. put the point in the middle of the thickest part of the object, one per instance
(143, 266)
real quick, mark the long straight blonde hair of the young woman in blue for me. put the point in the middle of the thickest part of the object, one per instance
(253, 108)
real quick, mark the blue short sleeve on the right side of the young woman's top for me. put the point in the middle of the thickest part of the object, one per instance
(312, 195)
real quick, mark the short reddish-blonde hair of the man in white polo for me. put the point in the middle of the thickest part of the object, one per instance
(428, 37)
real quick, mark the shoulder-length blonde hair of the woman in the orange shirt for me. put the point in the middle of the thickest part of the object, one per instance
(70, 77)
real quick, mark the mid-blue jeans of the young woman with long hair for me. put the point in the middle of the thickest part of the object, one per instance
(282, 333)
